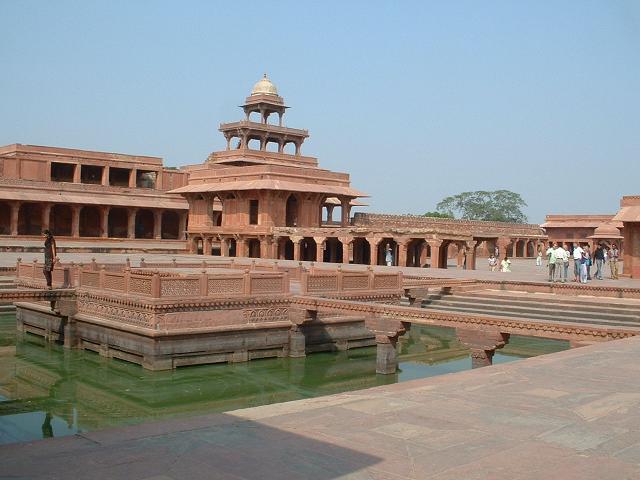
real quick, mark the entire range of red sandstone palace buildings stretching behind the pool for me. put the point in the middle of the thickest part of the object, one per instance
(260, 197)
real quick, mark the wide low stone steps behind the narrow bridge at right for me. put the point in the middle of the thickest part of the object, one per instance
(600, 311)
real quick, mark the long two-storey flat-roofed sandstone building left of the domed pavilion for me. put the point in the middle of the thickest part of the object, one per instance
(93, 195)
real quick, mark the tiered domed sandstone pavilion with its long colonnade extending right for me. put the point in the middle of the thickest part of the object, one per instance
(258, 199)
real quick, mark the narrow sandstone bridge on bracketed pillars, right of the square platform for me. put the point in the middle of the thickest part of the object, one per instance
(482, 333)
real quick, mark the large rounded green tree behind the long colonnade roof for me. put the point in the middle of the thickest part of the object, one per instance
(498, 206)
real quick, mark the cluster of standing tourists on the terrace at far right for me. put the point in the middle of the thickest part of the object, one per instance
(559, 259)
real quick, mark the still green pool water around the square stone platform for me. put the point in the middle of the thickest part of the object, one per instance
(48, 391)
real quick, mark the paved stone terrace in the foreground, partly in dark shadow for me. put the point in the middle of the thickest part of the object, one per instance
(569, 415)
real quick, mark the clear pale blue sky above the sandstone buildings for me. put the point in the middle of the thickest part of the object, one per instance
(416, 100)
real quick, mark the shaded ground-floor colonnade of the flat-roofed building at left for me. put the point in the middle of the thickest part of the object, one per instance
(89, 221)
